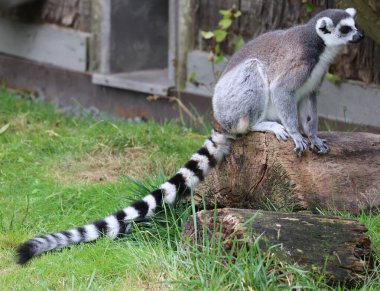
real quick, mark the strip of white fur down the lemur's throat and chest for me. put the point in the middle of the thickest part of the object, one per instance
(320, 69)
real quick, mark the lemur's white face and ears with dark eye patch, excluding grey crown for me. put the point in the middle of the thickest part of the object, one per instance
(342, 32)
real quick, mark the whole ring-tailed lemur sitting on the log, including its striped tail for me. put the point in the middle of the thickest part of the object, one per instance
(269, 85)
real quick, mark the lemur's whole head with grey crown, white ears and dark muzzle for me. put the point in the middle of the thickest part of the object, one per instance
(337, 27)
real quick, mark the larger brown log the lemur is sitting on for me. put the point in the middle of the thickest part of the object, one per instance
(262, 172)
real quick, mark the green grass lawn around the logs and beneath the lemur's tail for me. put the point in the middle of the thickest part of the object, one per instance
(58, 171)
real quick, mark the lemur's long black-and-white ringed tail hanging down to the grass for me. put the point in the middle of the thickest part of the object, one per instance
(214, 149)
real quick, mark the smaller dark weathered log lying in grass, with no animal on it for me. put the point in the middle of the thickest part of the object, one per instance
(335, 245)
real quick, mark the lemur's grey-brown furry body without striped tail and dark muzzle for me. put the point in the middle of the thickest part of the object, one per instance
(271, 81)
